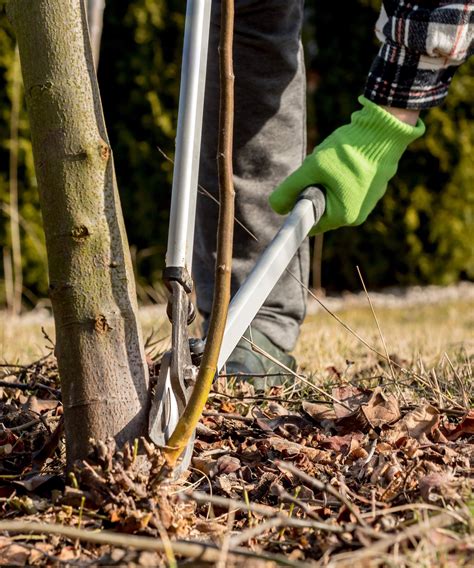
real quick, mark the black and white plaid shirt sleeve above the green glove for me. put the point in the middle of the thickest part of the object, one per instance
(423, 43)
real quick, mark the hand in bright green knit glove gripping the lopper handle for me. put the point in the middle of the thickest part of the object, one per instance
(354, 164)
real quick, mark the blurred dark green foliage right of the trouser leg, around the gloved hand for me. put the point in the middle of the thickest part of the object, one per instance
(423, 229)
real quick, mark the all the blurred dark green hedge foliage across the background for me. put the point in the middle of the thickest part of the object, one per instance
(422, 232)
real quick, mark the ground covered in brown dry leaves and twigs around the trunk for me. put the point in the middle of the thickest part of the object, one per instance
(362, 463)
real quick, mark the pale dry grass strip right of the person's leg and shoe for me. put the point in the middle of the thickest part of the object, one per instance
(423, 332)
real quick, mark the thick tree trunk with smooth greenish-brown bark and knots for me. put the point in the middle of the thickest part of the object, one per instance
(100, 353)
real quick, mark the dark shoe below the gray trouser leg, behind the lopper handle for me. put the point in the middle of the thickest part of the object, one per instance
(248, 363)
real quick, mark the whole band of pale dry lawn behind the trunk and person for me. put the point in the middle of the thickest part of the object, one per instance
(423, 332)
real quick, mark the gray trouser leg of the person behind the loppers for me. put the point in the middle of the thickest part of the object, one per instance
(269, 143)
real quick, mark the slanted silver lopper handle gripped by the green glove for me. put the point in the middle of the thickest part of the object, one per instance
(270, 266)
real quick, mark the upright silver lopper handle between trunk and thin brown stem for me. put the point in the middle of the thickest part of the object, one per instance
(188, 140)
